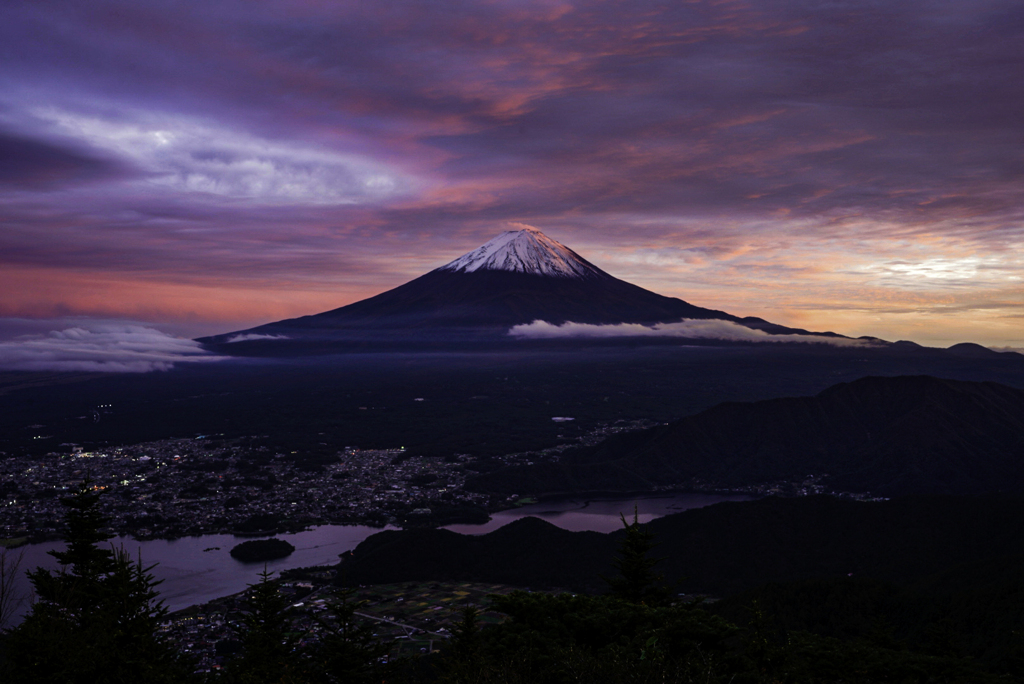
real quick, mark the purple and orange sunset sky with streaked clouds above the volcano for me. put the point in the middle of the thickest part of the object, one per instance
(201, 167)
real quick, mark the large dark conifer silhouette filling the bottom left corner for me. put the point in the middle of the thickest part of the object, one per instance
(95, 621)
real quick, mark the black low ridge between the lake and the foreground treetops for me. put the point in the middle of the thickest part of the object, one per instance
(940, 575)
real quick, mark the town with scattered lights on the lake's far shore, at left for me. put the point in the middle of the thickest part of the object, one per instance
(178, 488)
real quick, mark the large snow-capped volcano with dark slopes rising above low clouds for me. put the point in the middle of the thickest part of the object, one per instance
(519, 278)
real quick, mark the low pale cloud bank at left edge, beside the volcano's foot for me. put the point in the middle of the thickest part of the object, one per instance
(102, 349)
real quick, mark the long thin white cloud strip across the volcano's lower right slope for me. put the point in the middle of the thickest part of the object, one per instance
(694, 329)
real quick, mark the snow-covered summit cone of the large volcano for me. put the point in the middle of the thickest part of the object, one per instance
(525, 251)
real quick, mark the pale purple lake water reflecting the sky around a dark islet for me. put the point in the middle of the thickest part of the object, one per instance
(196, 570)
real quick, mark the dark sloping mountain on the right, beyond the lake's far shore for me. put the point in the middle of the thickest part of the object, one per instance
(889, 437)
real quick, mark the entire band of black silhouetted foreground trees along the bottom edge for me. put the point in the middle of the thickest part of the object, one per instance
(96, 622)
